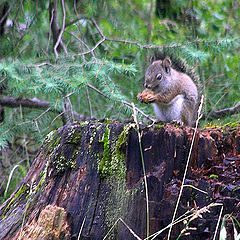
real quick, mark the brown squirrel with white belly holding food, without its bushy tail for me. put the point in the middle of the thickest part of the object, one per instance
(172, 92)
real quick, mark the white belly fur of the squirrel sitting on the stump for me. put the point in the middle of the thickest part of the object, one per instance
(170, 111)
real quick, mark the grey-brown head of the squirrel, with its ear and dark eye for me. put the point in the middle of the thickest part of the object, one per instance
(158, 75)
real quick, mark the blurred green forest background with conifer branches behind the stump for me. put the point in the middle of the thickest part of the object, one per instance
(81, 59)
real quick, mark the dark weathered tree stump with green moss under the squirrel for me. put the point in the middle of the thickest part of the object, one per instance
(87, 182)
